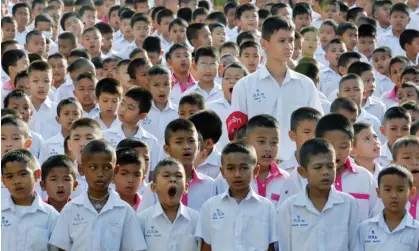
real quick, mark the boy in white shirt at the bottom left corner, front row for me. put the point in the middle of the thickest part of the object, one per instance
(24, 214)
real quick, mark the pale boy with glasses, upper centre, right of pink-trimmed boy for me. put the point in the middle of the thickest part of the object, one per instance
(206, 65)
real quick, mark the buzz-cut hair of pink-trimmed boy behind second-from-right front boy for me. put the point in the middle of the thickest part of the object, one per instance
(334, 122)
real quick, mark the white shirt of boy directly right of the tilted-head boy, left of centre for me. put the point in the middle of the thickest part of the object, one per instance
(157, 121)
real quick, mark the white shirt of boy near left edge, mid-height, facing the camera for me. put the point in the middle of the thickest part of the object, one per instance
(43, 120)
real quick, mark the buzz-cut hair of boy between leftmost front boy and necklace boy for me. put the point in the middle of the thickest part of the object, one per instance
(57, 161)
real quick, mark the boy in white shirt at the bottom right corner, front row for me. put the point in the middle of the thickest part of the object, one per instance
(393, 228)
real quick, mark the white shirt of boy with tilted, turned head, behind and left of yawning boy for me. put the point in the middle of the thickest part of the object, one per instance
(115, 134)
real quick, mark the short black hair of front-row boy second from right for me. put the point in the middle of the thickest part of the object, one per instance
(314, 147)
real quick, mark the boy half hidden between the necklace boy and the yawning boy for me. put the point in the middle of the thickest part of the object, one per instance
(129, 174)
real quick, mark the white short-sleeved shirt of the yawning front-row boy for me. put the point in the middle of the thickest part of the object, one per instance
(161, 234)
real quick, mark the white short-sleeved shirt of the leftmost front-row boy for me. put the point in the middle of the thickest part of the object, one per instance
(26, 228)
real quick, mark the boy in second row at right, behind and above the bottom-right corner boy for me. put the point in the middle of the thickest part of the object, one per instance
(397, 123)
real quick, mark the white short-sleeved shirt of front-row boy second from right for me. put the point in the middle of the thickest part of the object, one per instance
(301, 227)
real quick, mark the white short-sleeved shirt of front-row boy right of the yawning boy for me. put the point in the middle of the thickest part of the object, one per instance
(226, 225)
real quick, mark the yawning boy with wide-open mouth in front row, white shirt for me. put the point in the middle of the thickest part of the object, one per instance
(169, 225)
